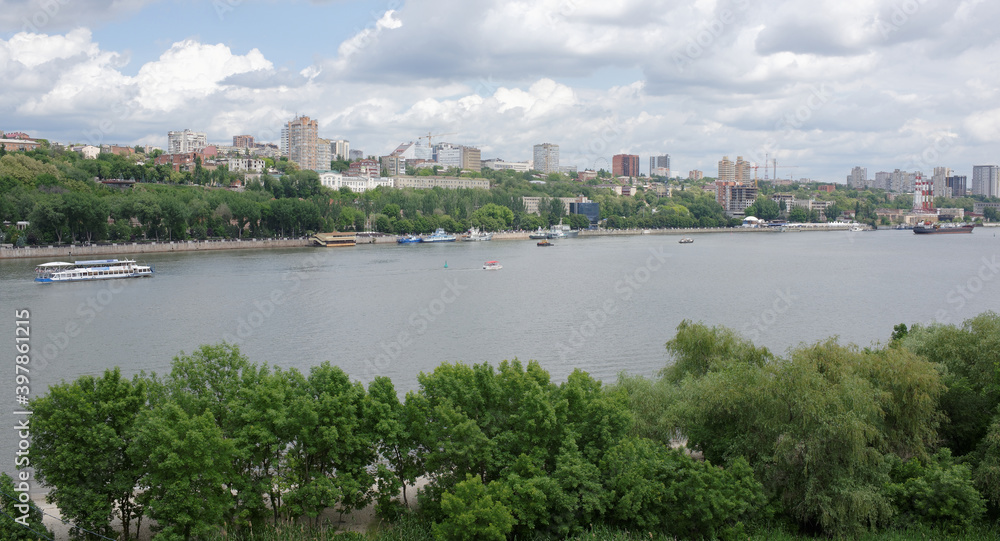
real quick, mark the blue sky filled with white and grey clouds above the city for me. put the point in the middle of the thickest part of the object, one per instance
(823, 85)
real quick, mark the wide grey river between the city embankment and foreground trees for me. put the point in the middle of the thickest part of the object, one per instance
(604, 304)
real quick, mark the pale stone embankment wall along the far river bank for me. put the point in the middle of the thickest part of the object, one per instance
(132, 248)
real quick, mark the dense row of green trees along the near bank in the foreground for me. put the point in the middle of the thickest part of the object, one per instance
(728, 439)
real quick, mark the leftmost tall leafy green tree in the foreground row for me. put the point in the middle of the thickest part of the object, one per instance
(81, 443)
